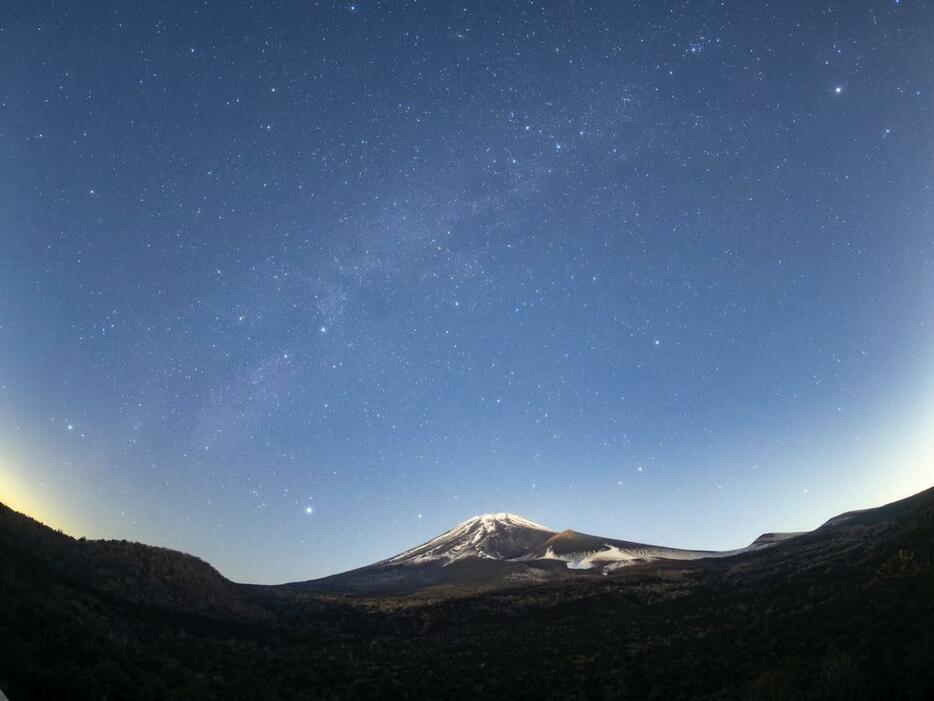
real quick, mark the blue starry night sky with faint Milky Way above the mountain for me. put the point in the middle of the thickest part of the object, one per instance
(295, 286)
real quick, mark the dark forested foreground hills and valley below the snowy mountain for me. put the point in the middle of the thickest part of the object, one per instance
(845, 612)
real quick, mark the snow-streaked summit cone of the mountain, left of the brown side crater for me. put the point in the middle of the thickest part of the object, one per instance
(496, 536)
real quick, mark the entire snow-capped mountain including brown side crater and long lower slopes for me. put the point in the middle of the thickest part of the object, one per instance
(505, 548)
